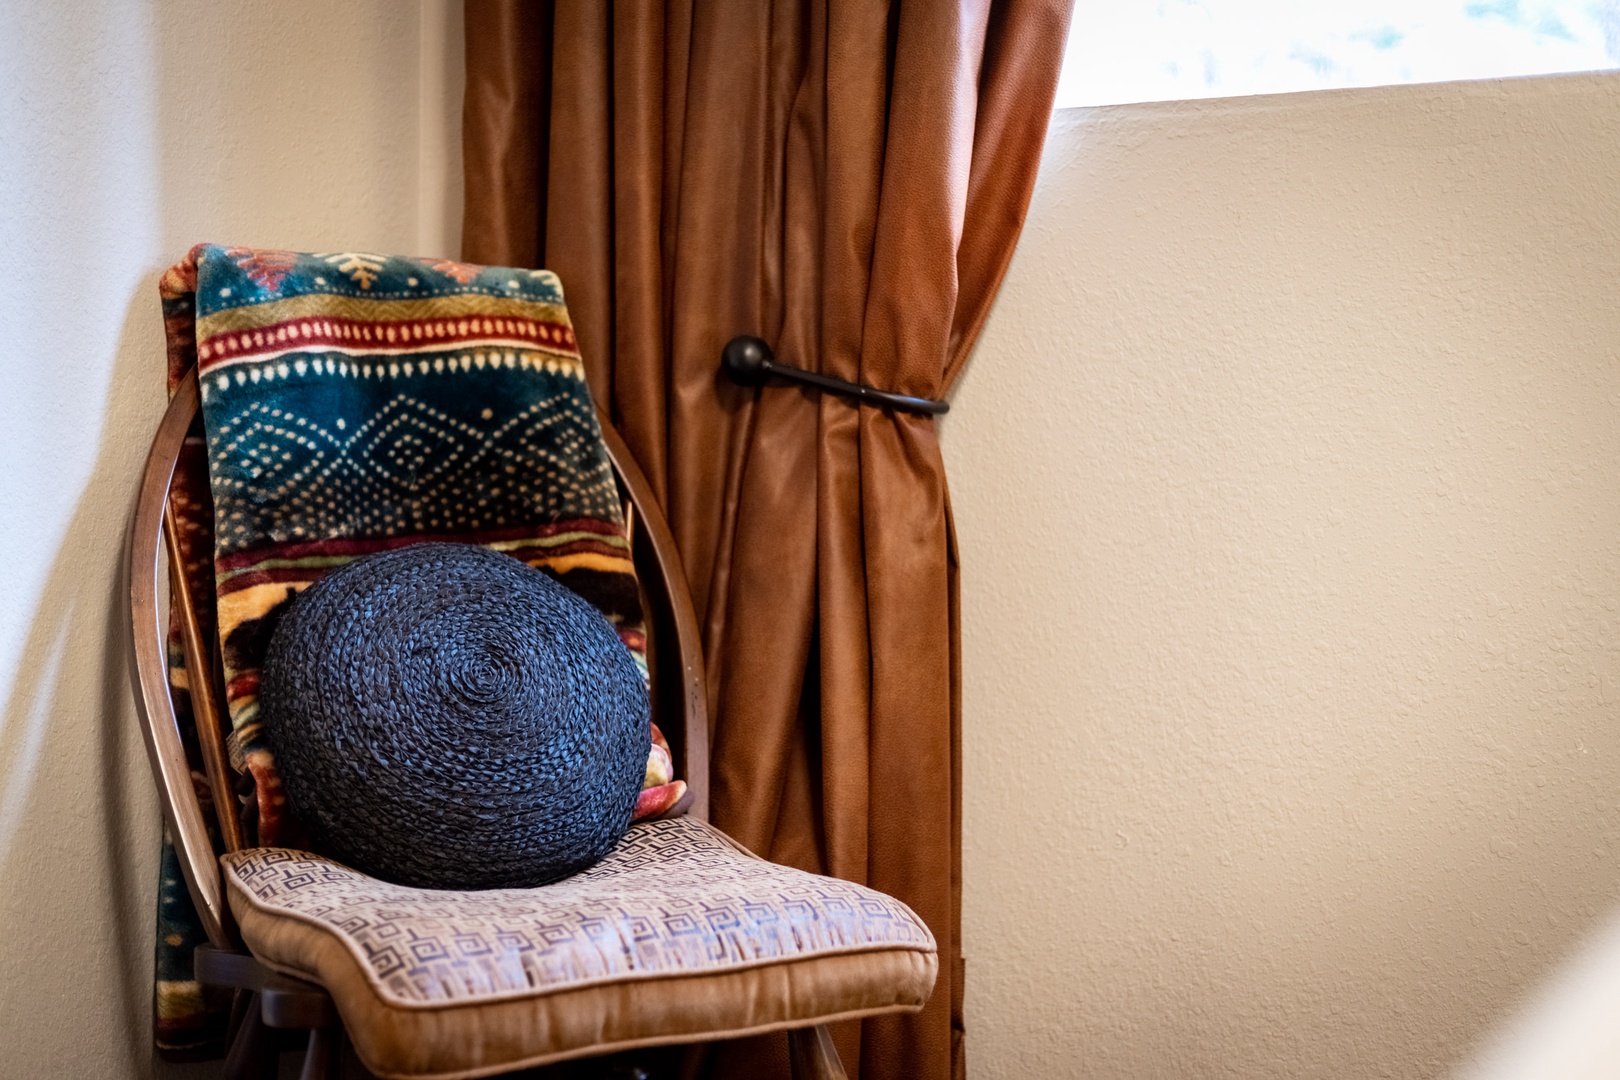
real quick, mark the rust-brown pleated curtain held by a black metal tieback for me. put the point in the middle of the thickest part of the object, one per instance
(845, 181)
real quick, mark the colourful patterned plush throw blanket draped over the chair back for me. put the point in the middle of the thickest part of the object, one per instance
(354, 404)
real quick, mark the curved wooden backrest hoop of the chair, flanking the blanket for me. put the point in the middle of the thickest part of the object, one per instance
(675, 658)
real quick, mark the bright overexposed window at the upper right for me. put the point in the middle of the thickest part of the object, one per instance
(1138, 51)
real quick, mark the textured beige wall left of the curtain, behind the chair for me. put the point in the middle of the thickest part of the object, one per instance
(130, 132)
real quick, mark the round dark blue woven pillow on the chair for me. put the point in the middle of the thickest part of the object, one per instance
(446, 716)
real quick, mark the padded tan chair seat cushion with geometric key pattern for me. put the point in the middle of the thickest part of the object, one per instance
(678, 935)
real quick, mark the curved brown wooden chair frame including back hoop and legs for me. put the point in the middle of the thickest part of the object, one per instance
(266, 1000)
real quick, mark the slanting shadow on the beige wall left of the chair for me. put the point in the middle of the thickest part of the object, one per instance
(79, 812)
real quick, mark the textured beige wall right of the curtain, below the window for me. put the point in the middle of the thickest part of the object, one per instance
(1285, 478)
